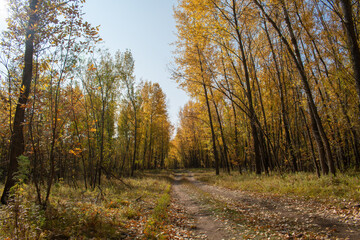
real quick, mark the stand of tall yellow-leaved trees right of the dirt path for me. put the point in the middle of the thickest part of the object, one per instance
(301, 68)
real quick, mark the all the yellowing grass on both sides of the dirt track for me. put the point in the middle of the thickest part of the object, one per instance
(140, 206)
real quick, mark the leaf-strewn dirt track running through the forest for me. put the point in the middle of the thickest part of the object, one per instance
(219, 213)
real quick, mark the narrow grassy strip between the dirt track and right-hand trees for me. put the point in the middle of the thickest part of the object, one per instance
(336, 189)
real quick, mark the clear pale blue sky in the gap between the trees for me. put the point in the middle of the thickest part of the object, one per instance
(147, 28)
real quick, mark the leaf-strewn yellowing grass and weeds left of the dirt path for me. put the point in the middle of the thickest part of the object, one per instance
(113, 211)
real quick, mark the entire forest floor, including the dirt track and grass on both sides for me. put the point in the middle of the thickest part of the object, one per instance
(190, 204)
